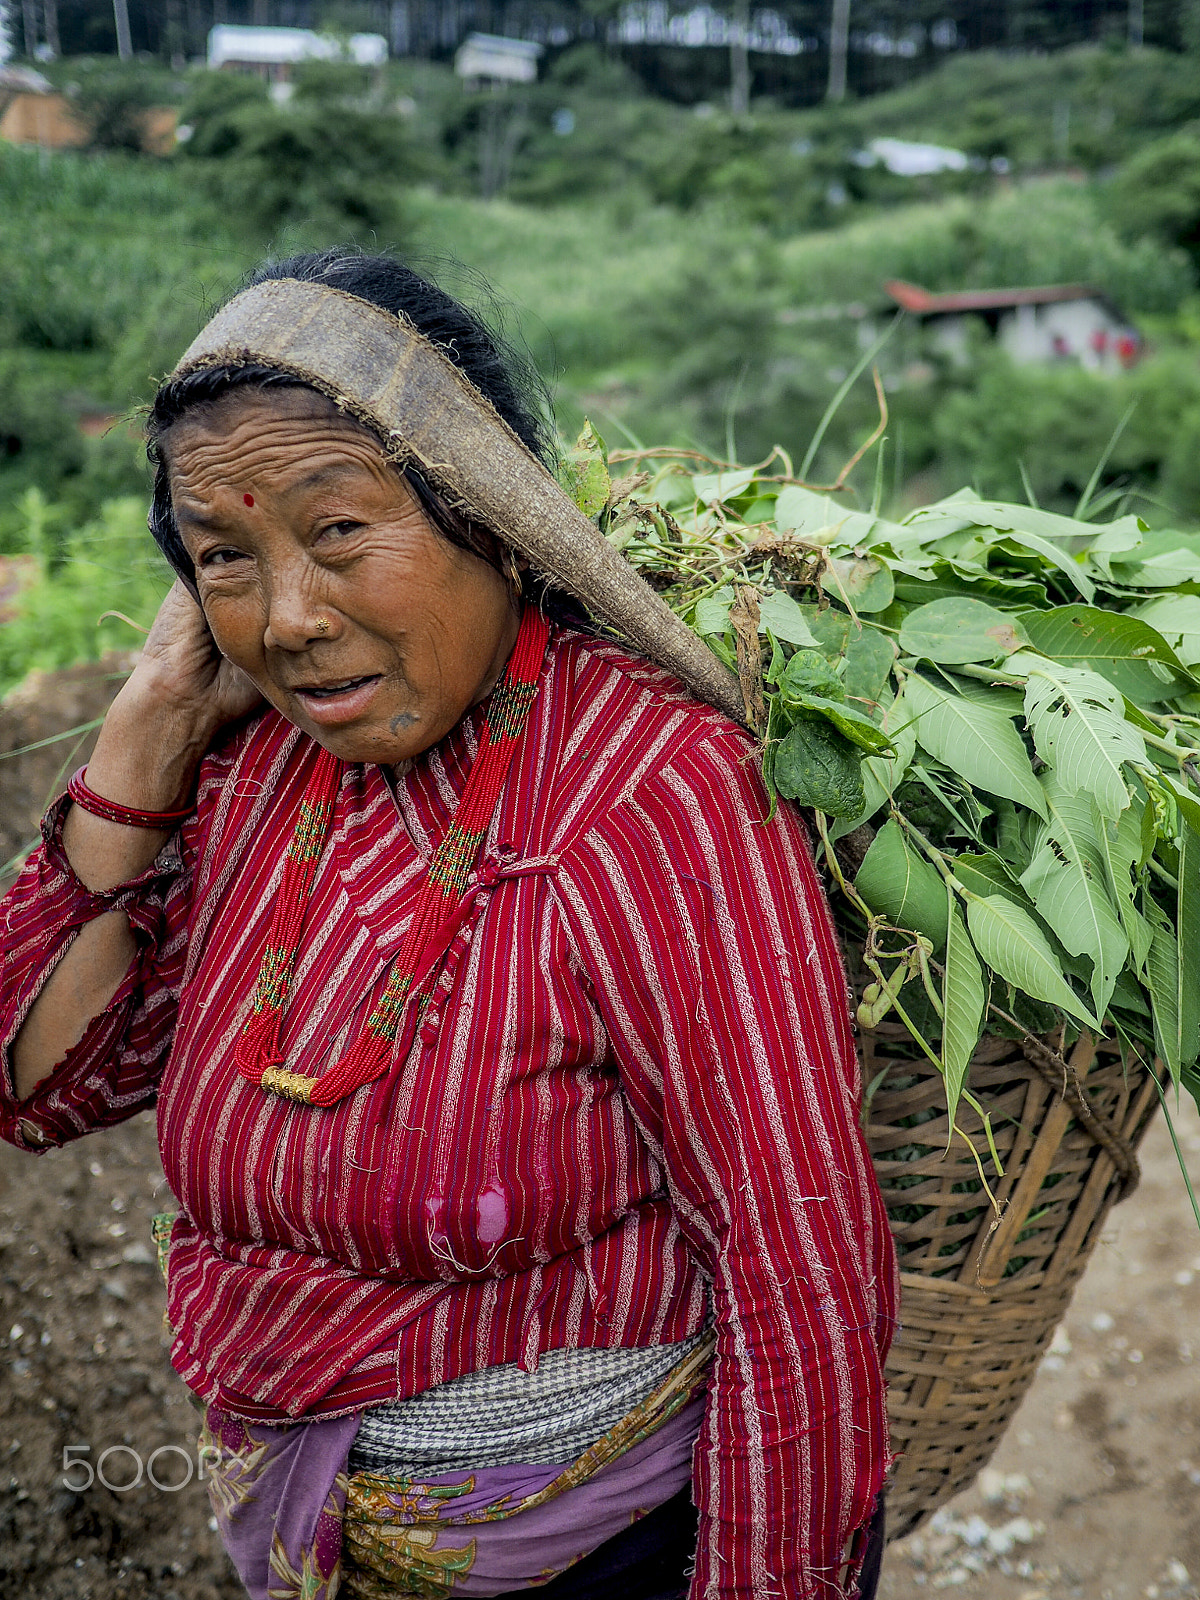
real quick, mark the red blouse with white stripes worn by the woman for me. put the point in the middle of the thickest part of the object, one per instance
(633, 1098)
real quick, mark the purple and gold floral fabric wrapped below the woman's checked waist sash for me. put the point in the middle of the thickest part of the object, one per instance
(298, 1529)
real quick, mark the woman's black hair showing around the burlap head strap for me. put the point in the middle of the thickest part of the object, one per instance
(500, 374)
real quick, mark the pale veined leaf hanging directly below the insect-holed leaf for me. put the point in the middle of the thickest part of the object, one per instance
(1068, 884)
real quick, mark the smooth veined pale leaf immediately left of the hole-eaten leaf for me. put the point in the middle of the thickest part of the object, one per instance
(974, 740)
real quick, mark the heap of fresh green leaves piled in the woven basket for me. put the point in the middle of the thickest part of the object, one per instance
(1014, 740)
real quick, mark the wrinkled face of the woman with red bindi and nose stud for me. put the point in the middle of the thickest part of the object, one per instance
(324, 582)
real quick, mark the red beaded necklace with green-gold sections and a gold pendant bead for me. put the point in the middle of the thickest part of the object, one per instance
(260, 1055)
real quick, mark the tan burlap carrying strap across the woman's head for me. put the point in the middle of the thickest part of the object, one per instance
(380, 370)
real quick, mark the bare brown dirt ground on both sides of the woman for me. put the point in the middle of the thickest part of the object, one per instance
(1094, 1495)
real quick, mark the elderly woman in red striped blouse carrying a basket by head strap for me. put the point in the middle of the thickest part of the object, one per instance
(500, 1041)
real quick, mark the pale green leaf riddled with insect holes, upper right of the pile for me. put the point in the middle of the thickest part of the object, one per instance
(1081, 730)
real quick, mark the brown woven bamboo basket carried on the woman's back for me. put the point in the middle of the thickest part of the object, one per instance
(982, 1294)
